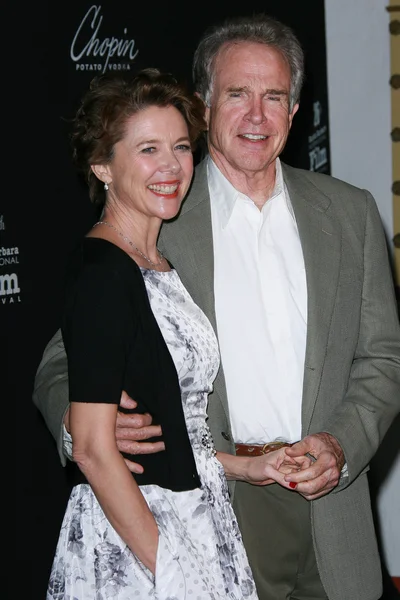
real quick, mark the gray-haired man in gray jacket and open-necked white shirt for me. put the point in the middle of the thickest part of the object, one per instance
(291, 268)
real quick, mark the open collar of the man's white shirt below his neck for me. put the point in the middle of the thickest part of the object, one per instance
(223, 195)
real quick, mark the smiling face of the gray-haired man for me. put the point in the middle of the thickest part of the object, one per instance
(249, 118)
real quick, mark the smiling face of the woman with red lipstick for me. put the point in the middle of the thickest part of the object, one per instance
(152, 165)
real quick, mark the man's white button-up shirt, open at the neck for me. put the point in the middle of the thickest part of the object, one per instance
(261, 309)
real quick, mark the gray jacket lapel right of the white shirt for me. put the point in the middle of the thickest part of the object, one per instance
(320, 236)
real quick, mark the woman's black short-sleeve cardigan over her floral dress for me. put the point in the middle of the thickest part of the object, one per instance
(113, 343)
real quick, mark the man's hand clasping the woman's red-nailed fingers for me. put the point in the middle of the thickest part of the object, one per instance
(324, 474)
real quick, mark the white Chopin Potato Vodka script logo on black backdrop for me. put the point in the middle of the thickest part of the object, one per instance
(91, 52)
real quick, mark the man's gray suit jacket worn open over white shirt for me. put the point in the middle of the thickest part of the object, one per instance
(352, 367)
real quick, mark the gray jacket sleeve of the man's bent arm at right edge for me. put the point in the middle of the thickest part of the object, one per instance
(372, 400)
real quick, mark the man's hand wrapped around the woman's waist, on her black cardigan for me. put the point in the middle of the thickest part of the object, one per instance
(131, 431)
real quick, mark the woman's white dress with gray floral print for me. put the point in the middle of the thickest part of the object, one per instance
(200, 554)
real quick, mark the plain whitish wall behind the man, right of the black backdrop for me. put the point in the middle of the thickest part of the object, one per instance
(358, 62)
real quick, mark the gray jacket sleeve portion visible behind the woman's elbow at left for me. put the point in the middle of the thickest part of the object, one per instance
(51, 394)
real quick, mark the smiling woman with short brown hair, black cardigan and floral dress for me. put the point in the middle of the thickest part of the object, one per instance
(129, 324)
